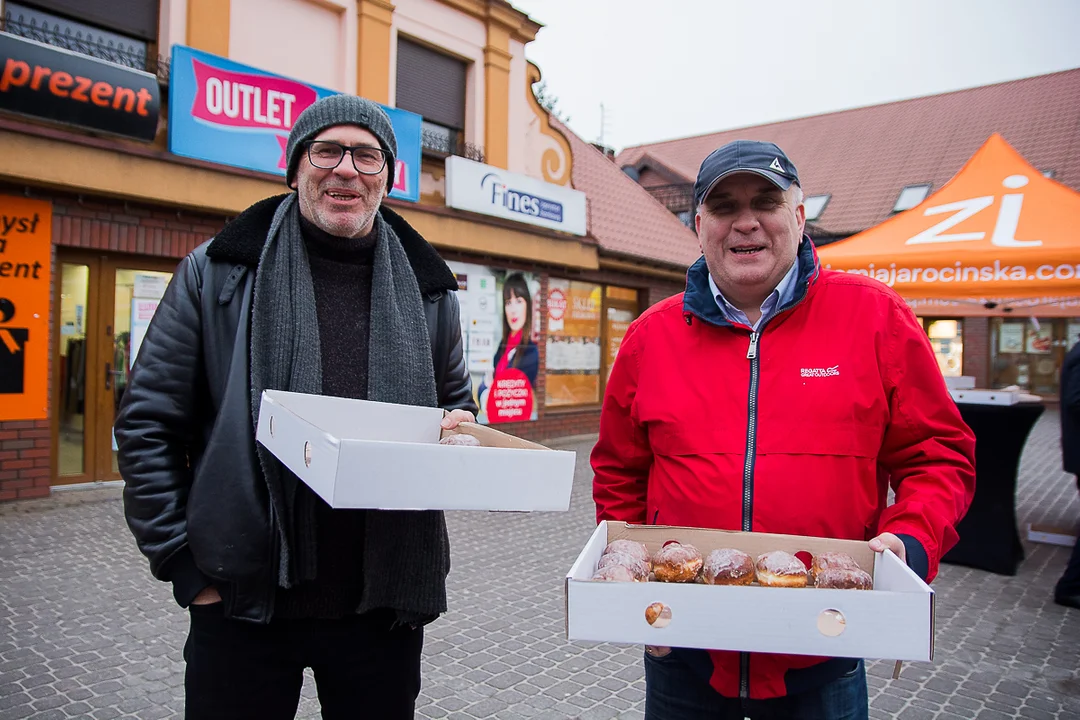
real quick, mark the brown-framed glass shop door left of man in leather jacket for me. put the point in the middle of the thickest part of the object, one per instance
(102, 307)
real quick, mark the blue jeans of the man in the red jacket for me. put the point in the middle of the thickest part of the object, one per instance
(676, 692)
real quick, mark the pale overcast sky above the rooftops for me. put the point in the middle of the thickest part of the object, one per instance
(709, 65)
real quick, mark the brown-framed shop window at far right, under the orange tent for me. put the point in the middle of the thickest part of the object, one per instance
(1028, 352)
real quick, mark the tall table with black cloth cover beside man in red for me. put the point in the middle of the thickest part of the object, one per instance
(990, 539)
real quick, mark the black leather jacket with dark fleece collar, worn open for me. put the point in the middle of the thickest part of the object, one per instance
(185, 423)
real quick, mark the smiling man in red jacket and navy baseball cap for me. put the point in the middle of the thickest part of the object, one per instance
(777, 397)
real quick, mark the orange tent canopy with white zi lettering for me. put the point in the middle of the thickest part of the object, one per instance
(997, 229)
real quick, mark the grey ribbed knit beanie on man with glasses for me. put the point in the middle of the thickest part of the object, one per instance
(341, 111)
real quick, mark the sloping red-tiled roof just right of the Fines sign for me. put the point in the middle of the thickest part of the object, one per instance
(624, 218)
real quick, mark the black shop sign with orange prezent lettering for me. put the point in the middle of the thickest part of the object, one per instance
(58, 85)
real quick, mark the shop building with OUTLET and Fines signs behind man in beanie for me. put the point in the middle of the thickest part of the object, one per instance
(132, 132)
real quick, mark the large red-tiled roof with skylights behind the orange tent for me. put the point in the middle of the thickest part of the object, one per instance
(863, 158)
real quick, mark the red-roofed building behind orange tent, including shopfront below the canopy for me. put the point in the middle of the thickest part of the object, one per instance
(859, 168)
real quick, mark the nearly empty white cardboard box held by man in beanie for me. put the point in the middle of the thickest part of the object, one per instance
(360, 454)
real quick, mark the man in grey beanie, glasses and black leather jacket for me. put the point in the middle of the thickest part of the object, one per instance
(322, 291)
